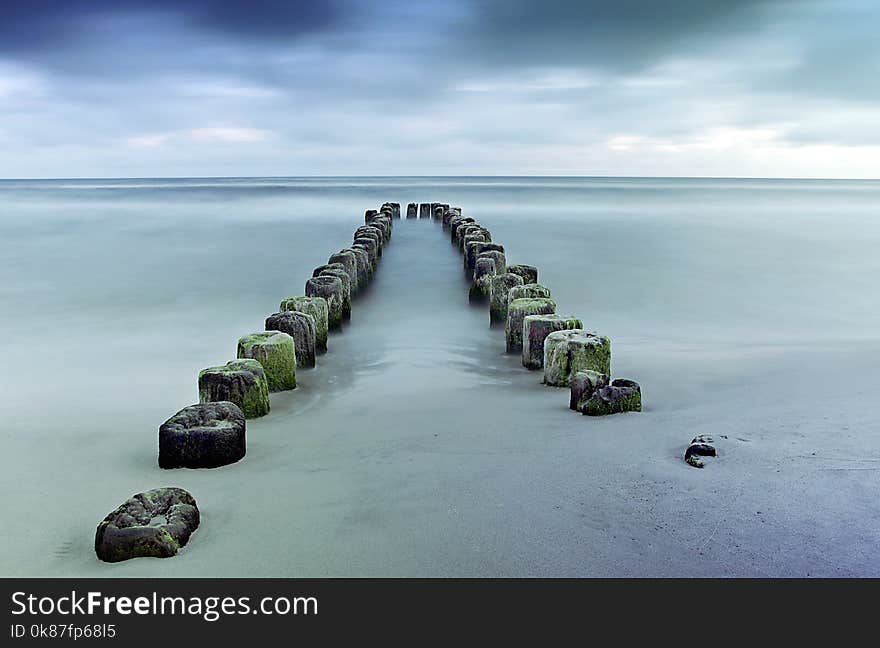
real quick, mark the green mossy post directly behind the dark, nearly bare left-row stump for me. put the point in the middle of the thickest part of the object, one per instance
(242, 382)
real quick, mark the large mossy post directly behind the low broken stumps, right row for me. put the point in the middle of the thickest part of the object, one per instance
(567, 352)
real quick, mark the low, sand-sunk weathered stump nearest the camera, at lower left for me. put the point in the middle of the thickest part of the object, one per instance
(154, 524)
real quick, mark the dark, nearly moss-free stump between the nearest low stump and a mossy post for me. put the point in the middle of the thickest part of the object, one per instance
(206, 435)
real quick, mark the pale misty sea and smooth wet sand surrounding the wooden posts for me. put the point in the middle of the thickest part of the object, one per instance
(746, 309)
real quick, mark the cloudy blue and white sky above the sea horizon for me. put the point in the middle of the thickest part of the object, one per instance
(166, 88)
